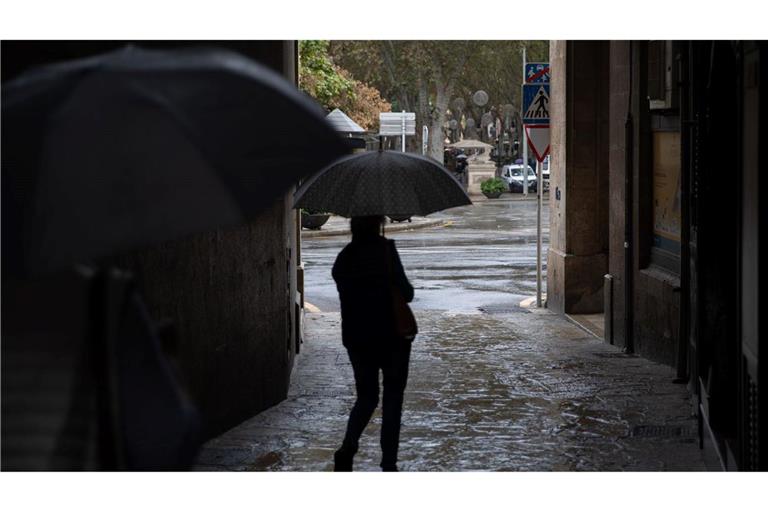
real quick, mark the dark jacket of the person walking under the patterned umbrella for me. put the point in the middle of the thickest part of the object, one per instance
(362, 275)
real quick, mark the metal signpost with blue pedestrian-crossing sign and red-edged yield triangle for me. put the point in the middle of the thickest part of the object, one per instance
(535, 115)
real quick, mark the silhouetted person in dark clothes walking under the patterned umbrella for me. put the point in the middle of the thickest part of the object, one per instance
(365, 272)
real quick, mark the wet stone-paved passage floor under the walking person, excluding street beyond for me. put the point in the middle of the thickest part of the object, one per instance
(517, 391)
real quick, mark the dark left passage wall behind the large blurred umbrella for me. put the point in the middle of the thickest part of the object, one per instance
(231, 293)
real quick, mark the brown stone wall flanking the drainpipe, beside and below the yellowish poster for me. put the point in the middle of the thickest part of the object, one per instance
(655, 301)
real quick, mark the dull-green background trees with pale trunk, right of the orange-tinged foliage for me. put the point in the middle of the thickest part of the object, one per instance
(424, 76)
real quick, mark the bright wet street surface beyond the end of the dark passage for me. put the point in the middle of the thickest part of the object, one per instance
(485, 256)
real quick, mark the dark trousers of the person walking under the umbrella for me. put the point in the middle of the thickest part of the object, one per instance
(393, 361)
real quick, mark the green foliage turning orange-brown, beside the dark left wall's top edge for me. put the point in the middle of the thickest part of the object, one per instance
(334, 87)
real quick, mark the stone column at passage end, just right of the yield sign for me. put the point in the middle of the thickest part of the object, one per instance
(578, 252)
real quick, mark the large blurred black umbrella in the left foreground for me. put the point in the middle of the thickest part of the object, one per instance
(135, 147)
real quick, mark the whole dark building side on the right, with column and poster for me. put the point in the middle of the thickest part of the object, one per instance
(654, 209)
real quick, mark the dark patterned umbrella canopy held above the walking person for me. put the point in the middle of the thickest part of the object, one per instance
(382, 183)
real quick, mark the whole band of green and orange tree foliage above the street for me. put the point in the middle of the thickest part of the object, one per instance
(364, 78)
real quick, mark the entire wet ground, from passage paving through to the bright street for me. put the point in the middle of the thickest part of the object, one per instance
(492, 386)
